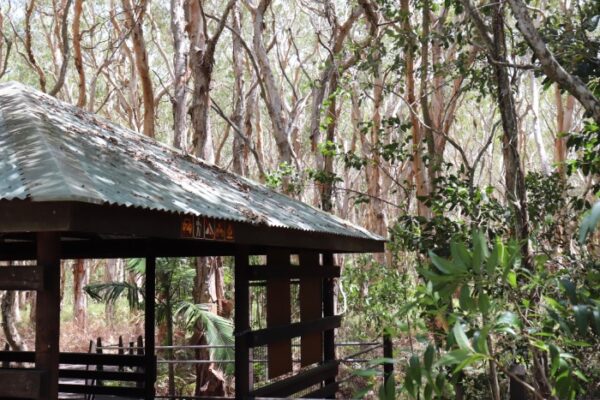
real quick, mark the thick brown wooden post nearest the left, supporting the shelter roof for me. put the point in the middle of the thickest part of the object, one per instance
(47, 324)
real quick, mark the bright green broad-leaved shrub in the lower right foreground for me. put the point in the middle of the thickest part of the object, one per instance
(477, 304)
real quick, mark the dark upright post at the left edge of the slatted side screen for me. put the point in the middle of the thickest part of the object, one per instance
(243, 368)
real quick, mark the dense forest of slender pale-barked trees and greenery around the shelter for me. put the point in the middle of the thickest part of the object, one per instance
(465, 131)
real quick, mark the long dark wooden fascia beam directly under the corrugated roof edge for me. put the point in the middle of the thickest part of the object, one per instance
(28, 216)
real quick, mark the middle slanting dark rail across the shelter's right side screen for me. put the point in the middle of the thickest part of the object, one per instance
(262, 337)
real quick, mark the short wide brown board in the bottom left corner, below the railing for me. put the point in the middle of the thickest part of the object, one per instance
(20, 383)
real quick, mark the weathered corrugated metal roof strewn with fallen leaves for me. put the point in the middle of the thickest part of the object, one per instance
(53, 151)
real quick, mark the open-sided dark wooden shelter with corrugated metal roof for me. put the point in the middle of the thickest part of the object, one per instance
(74, 186)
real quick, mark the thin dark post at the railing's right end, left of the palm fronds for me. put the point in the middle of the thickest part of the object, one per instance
(149, 326)
